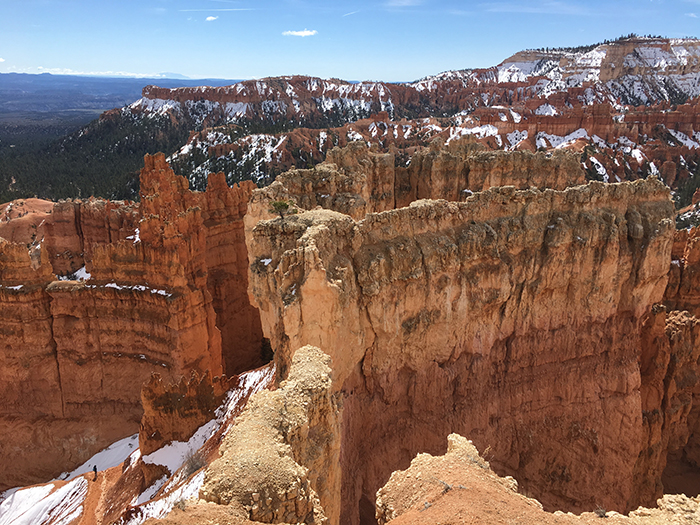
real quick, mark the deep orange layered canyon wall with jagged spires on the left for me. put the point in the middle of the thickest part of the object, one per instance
(164, 282)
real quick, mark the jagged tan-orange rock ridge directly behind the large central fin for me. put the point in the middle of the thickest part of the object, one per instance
(356, 180)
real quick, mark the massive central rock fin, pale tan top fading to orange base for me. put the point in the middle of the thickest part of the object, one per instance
(513, 318)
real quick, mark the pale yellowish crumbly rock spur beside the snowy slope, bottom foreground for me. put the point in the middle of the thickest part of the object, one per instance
(279, 461)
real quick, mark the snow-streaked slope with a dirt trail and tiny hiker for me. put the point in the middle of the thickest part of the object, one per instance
(67, 502)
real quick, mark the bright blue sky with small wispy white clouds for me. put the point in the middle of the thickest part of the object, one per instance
(390, 40)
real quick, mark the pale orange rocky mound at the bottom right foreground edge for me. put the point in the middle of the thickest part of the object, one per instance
(459, 487)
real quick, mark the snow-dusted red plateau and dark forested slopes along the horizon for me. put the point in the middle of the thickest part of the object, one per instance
(620, 95)
